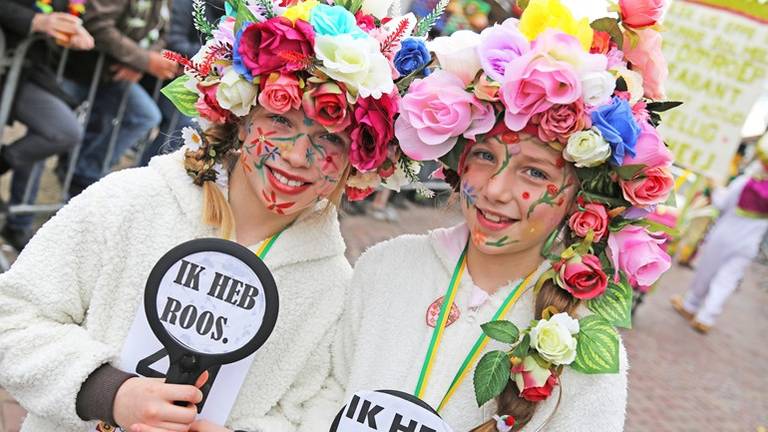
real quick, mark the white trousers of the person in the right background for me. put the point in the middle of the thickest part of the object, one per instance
(713, 284)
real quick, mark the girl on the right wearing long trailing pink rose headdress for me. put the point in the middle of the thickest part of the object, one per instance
(546, 131)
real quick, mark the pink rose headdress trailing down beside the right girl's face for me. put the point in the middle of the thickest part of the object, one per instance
(587, 89)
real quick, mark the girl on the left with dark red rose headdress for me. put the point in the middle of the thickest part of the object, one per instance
(293, 100)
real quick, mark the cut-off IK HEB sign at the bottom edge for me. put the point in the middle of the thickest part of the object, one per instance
(387, 411)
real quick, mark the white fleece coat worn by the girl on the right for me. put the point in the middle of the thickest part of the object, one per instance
(393, 285)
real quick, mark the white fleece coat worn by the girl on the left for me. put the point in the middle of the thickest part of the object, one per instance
(67, 303)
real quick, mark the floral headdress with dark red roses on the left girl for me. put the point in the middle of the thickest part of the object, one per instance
(343, 64)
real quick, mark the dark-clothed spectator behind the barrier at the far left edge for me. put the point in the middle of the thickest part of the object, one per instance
(40, 104)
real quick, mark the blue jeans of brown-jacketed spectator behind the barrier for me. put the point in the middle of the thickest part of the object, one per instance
(141, 115)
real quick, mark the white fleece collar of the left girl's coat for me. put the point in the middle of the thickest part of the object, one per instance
(315, 235)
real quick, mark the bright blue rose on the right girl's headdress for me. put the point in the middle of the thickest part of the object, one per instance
(619, 128)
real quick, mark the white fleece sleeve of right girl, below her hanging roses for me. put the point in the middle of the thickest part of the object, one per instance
(589, 403)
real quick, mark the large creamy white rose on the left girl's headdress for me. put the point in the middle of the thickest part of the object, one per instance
(358, 63)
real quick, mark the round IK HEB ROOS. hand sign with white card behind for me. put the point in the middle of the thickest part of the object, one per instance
(209, 304)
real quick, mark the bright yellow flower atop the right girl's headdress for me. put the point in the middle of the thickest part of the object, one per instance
(544, 14)
